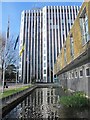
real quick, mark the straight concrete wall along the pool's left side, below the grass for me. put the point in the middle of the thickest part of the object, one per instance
(8, 103)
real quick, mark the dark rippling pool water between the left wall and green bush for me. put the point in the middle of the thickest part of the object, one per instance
(43, 103)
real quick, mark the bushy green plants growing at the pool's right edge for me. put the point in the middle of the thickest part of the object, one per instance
(78, 99)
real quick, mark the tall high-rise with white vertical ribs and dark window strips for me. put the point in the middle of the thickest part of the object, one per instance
(43, 32)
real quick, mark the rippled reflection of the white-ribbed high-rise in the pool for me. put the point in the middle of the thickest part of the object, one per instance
(40, 104)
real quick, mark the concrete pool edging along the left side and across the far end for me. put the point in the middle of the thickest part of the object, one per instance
(13, 100)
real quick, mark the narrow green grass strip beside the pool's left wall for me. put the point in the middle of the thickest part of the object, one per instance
(12, 91)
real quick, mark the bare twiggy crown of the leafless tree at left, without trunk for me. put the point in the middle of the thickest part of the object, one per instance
(11, 55)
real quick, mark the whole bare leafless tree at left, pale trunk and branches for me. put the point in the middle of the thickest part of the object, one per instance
(8, 54)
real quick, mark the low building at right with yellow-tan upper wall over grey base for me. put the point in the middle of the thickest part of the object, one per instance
(73, 63)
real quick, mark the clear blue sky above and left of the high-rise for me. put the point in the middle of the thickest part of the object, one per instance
(12, 10)
